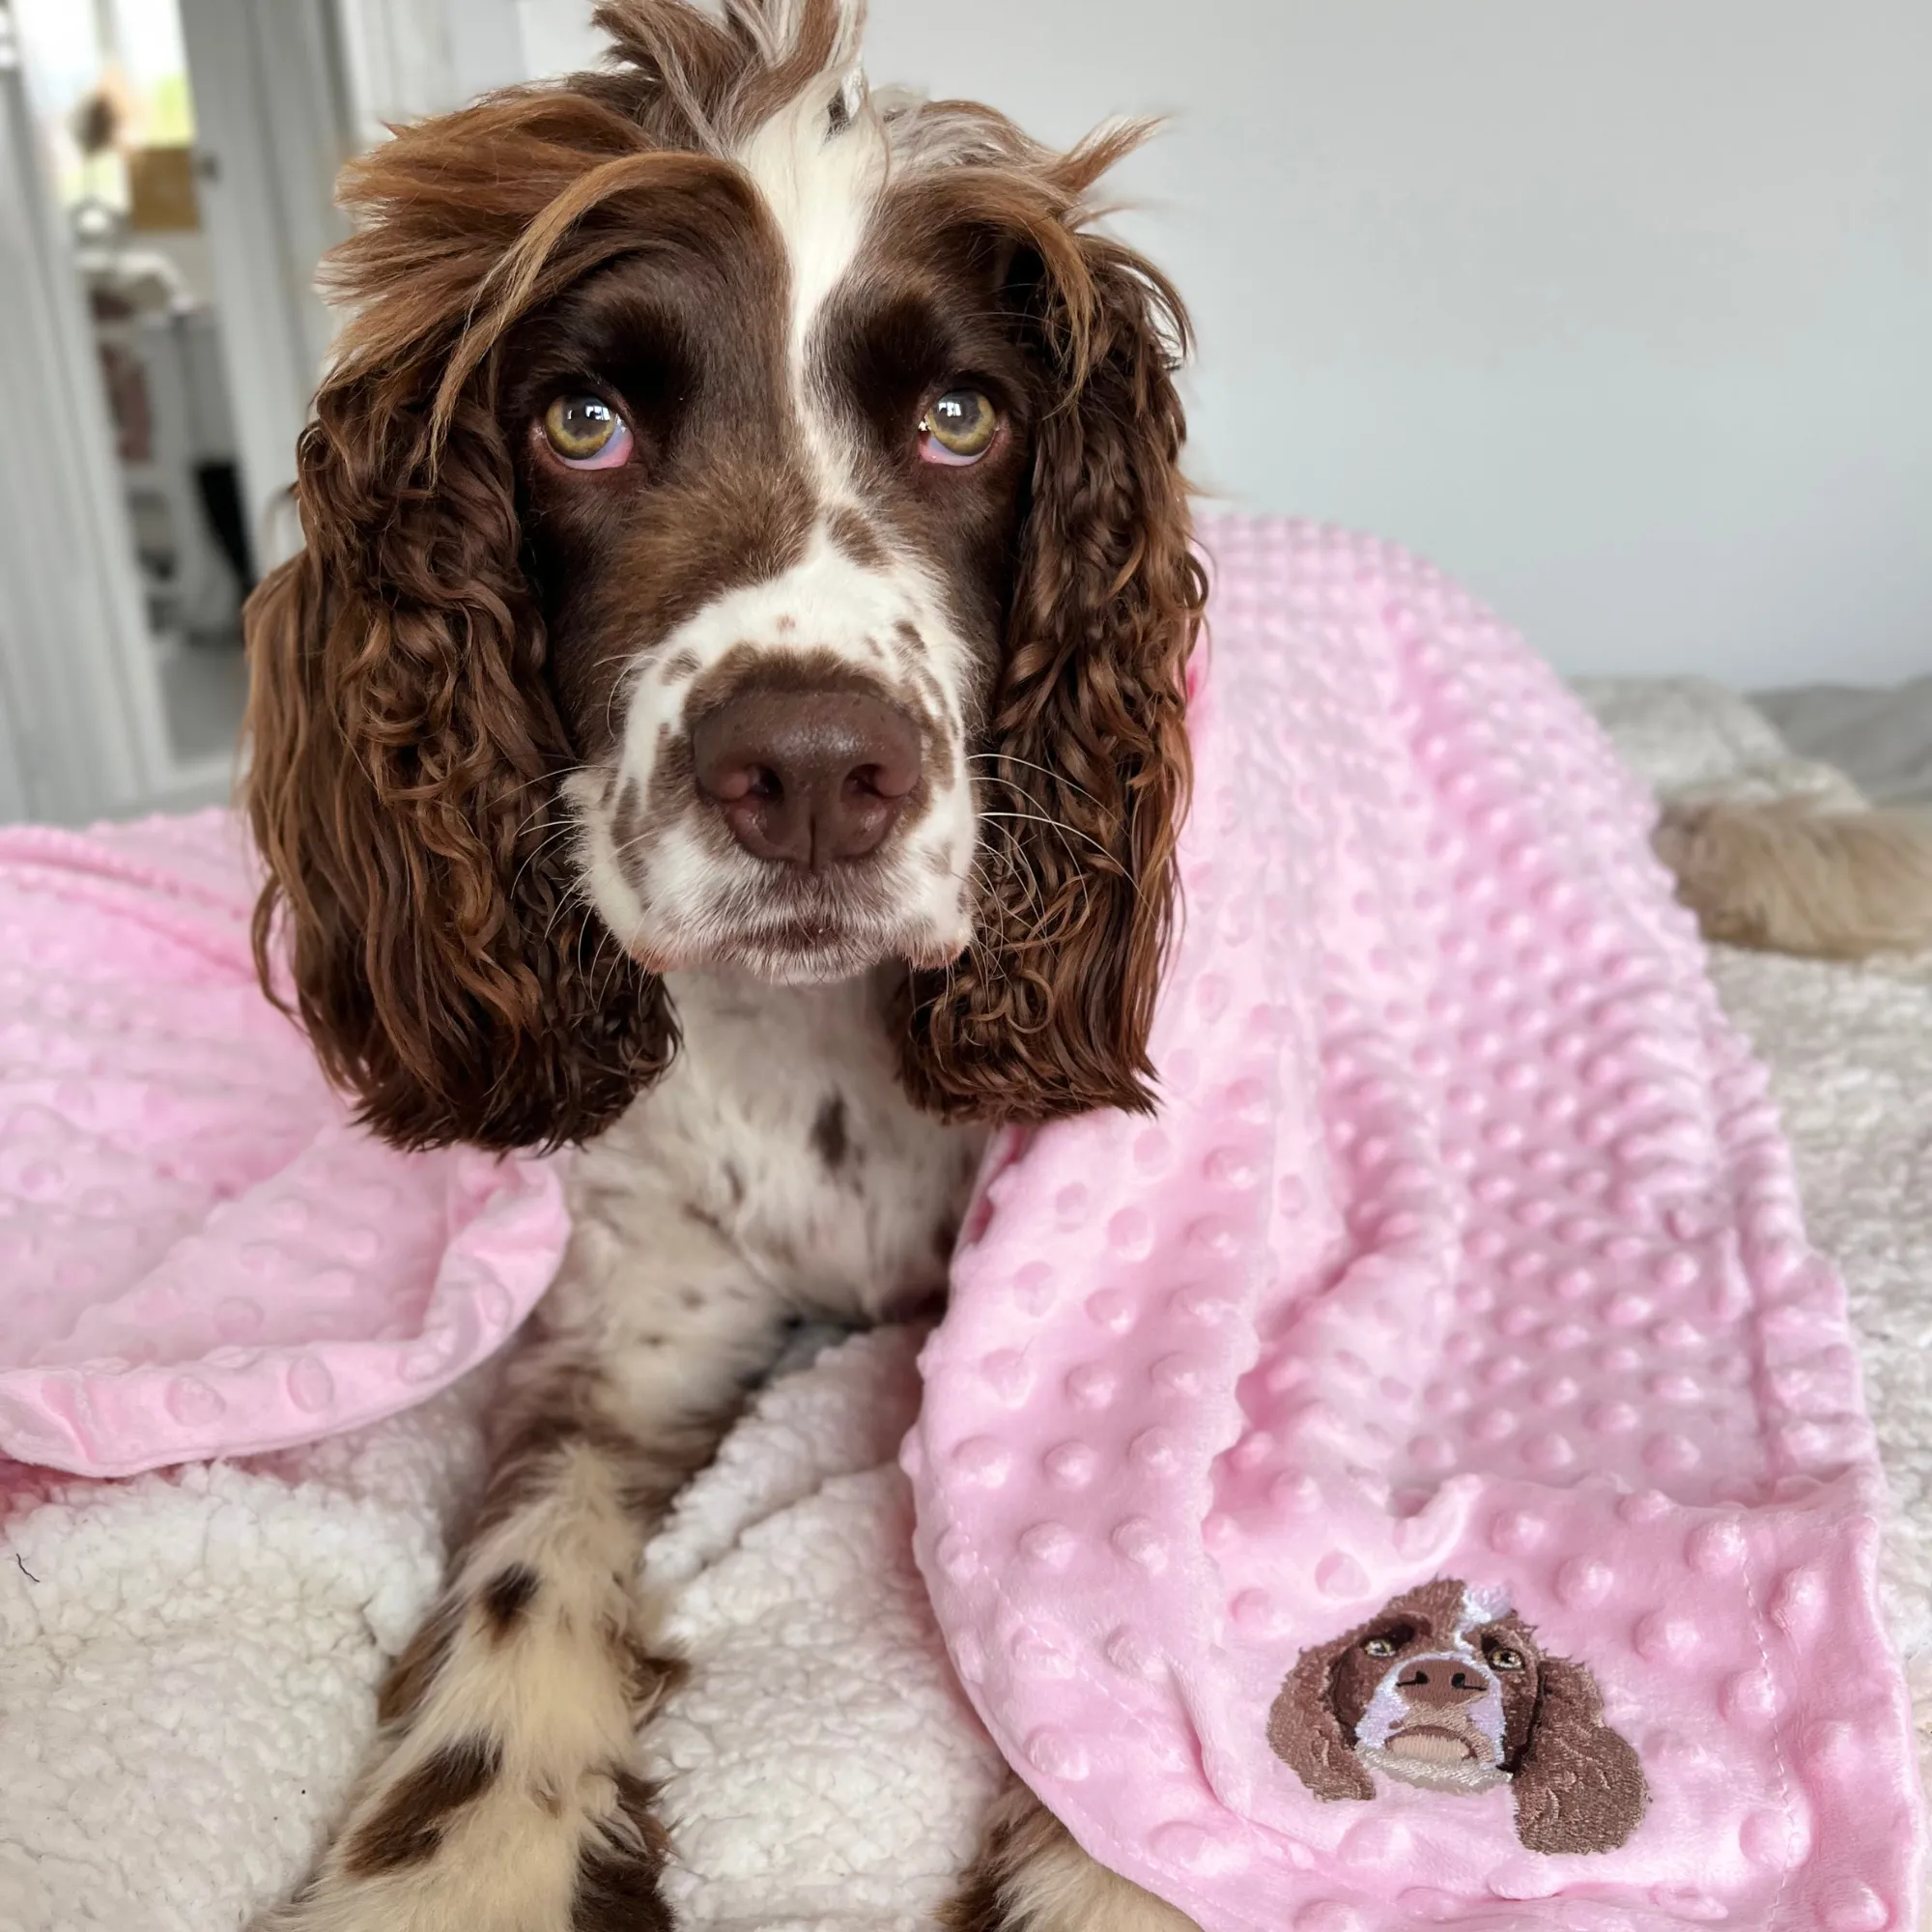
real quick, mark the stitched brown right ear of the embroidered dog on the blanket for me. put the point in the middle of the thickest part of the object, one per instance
(1579, 1784)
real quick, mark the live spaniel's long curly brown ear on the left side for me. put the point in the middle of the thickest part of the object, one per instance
(405, 745)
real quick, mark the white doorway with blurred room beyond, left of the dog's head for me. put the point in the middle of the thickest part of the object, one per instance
(121, 668)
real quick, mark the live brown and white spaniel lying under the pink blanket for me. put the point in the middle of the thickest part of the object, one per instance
(729, 712)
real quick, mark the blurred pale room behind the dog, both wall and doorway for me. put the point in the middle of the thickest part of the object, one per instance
(1618, 310)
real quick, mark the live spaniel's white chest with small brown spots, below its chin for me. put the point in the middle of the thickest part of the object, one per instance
(783, 1123)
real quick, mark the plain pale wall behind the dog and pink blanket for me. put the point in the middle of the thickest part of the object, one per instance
(1622, 310)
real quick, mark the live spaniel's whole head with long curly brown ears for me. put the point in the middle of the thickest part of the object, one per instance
(745, 528)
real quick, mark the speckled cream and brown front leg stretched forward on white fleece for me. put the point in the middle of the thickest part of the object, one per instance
(501, 1794)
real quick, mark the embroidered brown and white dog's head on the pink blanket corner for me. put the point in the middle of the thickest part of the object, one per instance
(1448, 1690)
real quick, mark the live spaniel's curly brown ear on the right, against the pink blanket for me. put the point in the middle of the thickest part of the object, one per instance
(1087, 766)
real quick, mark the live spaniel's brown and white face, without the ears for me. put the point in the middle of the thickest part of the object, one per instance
(772, 490)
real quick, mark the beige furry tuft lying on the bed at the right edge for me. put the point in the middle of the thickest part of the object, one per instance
(1786, 876)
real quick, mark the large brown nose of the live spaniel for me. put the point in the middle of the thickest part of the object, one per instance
(807, 778)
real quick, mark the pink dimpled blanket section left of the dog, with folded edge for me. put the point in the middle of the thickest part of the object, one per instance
(198, 1253)
